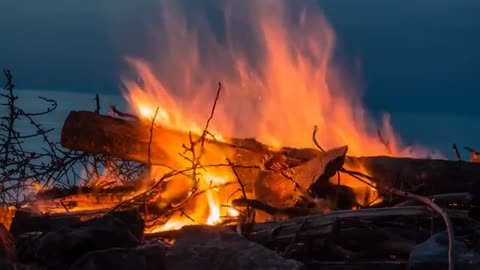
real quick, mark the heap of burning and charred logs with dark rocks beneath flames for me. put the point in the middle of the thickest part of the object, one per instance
(427, 217)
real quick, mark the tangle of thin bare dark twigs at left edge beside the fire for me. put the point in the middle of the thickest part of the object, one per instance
(30, 161)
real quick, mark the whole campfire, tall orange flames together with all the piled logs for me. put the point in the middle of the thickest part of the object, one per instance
(281, 154)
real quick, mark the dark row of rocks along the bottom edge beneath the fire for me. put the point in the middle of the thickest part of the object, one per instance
(117, 241)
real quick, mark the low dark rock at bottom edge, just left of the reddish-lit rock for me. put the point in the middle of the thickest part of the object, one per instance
(147, 257)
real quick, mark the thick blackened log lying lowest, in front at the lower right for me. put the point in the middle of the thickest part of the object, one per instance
(376, 233)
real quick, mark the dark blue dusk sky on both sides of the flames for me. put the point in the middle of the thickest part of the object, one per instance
(419, 59)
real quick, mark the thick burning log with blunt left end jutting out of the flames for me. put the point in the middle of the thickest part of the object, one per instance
(90, 132)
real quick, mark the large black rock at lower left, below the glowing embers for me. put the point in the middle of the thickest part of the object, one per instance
(58, 249)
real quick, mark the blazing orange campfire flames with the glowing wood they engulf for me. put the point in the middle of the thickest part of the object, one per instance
(188, 135)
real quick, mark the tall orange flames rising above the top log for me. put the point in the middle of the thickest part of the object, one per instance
(280, 80)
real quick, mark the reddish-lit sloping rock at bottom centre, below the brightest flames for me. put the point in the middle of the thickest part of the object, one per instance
(206, 247)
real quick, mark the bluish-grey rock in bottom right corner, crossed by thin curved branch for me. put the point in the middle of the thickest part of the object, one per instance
(433, 254)
